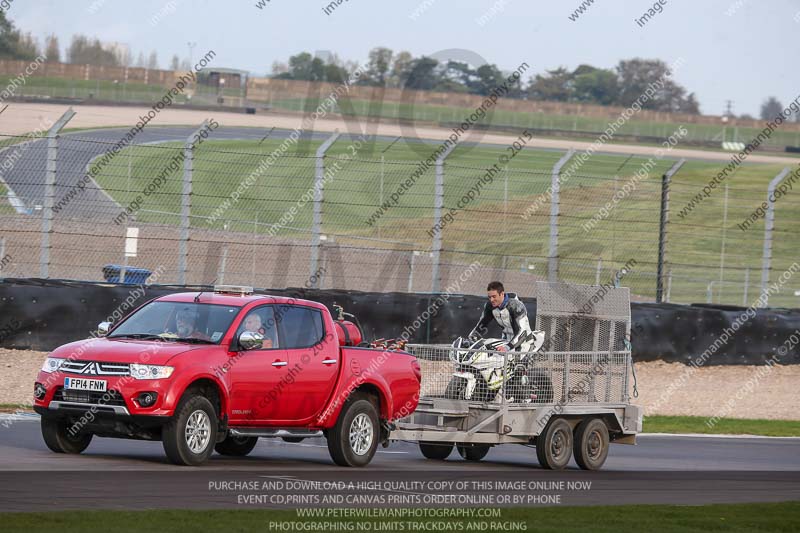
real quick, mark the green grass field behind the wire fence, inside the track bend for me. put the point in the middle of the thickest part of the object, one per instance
(364, 181)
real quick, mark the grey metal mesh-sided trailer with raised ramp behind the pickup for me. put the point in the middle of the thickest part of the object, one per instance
(573, 399)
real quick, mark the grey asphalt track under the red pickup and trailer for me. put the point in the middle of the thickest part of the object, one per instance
(122, 474)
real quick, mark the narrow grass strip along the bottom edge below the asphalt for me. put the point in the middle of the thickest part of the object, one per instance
(612, 519)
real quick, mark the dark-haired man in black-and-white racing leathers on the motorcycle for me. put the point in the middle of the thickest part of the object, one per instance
(510, 314)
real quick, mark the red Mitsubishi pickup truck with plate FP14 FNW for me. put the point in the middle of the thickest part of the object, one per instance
(217, 370)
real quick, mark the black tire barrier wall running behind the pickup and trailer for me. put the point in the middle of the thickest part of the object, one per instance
(43, 314)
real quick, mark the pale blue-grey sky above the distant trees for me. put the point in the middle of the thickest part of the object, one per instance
(739, 50)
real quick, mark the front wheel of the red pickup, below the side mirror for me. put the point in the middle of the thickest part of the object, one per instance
(195, 415)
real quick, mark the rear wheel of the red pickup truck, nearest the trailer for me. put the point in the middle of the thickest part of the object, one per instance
(354, 438)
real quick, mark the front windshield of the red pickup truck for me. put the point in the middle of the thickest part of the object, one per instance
(178, 321)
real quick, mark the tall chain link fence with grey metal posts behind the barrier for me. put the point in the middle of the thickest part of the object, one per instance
(381, 215)
